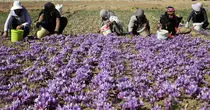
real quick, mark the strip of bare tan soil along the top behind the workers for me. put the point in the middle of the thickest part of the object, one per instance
(120, 5)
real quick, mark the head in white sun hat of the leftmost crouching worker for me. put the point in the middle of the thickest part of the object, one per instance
(17, 7)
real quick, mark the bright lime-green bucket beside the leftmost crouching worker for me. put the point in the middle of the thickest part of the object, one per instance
(16, 35)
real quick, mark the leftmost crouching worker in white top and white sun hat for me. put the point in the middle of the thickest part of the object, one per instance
(18, 18)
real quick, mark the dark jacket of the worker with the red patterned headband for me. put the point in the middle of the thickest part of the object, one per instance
(170, 24)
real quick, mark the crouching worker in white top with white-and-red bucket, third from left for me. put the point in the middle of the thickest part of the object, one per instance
(110, 23)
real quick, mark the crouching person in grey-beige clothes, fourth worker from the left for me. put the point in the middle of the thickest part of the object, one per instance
(139, 25)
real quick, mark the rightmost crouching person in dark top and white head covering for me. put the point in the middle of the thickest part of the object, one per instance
(198, 15)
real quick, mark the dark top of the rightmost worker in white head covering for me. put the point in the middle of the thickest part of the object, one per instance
(198, 17)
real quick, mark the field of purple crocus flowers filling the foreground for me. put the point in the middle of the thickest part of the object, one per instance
(105, 72)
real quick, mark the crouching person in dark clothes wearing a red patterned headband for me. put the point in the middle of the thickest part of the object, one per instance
(170, 22)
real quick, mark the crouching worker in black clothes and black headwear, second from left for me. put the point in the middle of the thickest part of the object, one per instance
(50, 21)
